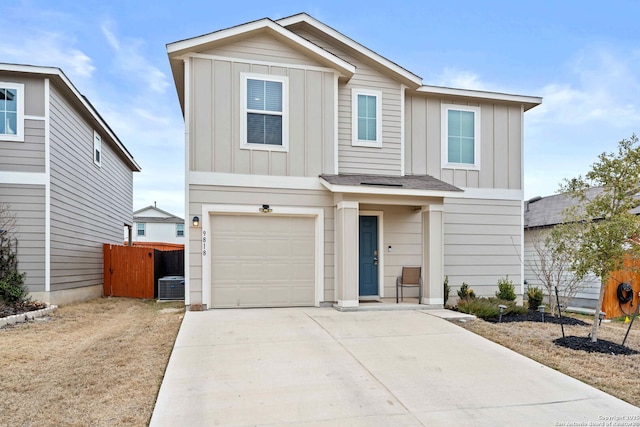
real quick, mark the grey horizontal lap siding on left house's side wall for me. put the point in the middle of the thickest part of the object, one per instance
(89, 204)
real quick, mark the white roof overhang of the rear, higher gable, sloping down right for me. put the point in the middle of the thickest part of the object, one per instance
(406, 77)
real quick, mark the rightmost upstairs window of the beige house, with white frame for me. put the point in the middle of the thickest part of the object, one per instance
(461, 136)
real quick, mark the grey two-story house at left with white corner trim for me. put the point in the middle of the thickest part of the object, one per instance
(68, 180)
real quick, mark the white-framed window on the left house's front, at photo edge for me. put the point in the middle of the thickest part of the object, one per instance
(12, 111)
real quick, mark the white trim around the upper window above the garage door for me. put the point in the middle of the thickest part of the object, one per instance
(243, 112)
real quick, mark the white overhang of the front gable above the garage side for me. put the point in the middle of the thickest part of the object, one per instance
(180, 50)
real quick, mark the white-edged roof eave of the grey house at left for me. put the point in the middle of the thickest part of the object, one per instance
(79, 100)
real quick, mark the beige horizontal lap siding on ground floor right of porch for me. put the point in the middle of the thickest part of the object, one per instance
(482, 243)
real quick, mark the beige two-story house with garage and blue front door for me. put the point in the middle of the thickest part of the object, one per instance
(317, 169)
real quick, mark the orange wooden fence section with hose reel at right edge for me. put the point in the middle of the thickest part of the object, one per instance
(631, 275)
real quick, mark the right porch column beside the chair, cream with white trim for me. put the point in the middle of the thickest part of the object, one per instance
(433, 255)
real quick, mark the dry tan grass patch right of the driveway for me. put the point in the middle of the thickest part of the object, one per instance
(616, 375)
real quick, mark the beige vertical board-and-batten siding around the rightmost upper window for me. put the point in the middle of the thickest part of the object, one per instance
(500, 151)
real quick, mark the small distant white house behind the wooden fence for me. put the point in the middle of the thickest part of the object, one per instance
(151, 224)
